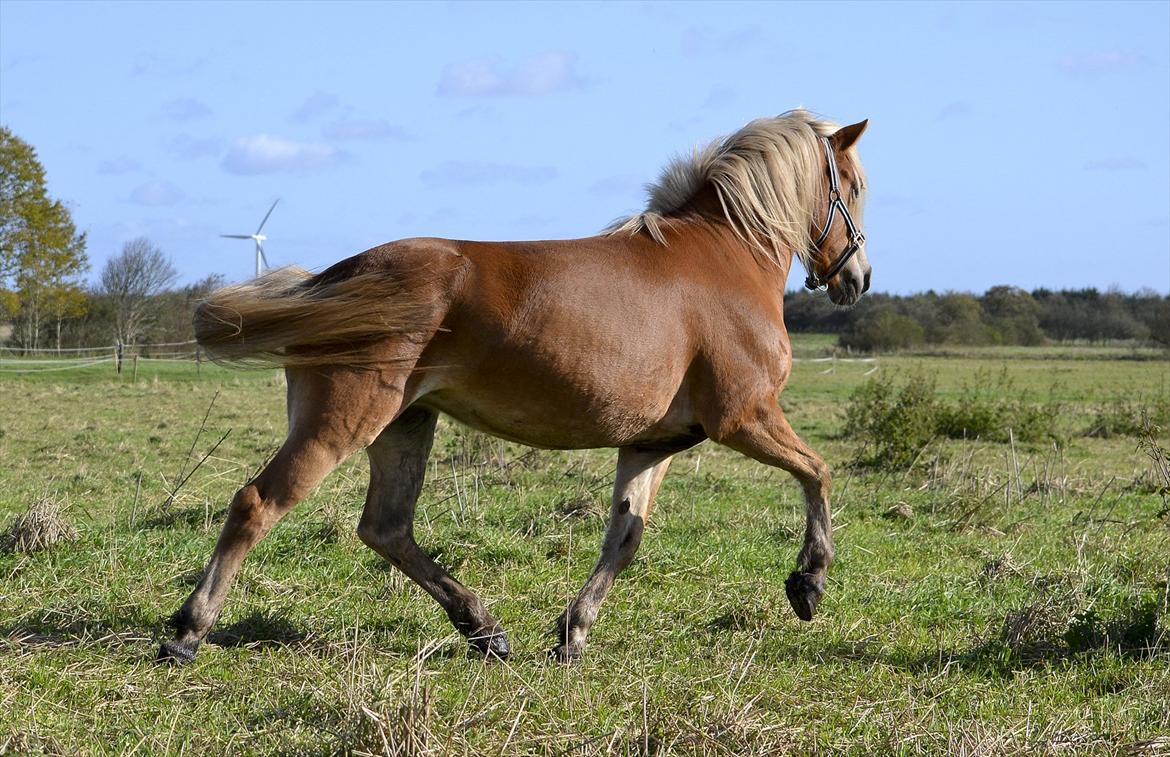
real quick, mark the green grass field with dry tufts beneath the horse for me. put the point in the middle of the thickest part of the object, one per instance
(999, 598)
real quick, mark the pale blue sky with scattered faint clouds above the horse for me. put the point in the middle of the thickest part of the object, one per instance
(1009, 143)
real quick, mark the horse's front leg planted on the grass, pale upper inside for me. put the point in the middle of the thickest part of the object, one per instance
(639, 477)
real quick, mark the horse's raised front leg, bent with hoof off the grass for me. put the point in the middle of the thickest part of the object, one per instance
(768, 437)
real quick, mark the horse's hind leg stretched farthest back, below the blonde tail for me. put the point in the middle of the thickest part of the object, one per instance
(332, 416)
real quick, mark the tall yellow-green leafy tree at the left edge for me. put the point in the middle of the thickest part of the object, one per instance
(43, 257)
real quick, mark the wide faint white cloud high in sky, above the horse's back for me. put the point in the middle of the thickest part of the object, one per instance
(539, 75)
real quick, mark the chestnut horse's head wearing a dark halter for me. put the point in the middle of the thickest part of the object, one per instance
(838, 260)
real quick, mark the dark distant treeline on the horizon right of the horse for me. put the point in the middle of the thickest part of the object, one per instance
(1003, 315)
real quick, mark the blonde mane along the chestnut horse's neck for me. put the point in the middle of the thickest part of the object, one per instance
(768, 178)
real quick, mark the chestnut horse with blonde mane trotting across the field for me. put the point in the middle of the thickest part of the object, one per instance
(663, 332)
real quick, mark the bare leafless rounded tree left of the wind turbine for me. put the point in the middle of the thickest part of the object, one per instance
(133, 280)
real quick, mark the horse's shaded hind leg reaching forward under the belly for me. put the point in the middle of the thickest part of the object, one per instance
(398, 463)
